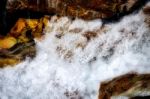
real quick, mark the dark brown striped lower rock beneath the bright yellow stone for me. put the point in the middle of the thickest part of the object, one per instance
(17, 54)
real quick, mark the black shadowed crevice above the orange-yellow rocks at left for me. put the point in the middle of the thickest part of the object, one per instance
(11, 18)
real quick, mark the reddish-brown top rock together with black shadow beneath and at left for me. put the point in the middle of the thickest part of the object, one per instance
(108, 10)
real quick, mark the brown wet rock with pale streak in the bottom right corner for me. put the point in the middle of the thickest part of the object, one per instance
(130, 85)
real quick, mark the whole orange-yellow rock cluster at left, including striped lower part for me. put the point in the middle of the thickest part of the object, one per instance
(19, 42)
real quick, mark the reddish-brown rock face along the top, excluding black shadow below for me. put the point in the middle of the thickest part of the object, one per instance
(89, 9)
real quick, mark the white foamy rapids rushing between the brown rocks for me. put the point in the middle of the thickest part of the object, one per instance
(68, 65)
